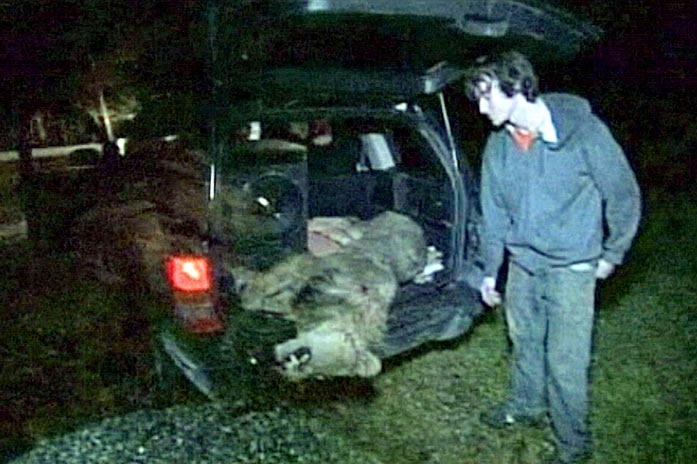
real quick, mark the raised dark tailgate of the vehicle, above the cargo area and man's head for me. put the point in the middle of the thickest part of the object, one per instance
(382, 50)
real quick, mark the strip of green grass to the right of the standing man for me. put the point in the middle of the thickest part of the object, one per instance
(646, 383)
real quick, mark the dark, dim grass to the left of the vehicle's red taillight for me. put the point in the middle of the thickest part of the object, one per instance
(71, 351)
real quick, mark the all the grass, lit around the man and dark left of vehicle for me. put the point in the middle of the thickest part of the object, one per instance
(74, 352)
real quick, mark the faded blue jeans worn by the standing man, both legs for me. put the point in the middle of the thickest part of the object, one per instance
(550, 323)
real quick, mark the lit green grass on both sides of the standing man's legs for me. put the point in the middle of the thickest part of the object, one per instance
(644, 373)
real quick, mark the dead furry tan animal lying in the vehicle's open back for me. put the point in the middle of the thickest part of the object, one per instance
(339, 299)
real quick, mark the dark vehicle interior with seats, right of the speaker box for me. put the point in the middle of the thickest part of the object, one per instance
(369, 168)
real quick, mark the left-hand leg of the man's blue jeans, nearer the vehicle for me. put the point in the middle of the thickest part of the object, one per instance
(526, 328)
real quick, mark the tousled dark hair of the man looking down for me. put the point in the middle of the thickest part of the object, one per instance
(511, 69)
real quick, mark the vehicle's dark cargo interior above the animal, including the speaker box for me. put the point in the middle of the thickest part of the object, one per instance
(343, 168)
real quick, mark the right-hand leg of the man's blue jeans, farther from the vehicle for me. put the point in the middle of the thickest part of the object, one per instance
(570, 300)
